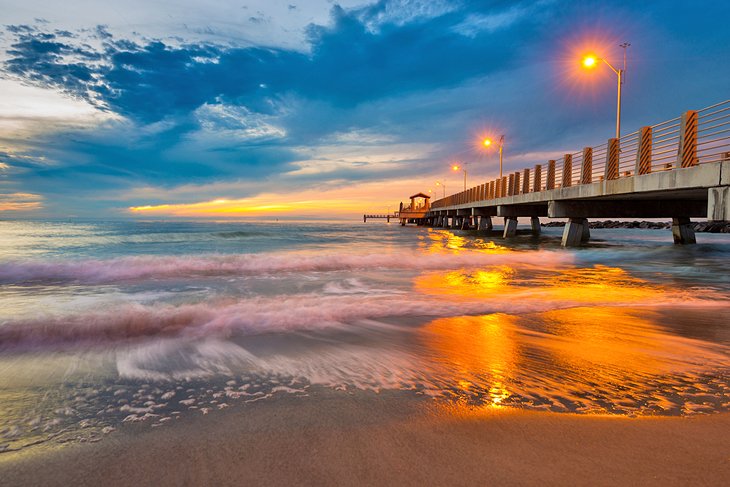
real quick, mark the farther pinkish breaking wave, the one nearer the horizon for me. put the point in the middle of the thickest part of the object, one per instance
(95, 271)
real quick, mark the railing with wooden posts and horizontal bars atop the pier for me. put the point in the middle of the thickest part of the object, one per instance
(696, 137)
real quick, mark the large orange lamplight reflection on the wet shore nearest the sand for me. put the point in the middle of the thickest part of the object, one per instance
(585, 359)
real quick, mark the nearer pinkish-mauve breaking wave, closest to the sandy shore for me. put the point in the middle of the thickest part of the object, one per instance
(280, 314)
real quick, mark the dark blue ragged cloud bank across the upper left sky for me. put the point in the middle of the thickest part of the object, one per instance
(349, 64)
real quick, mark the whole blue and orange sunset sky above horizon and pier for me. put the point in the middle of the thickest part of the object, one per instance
(322, 109)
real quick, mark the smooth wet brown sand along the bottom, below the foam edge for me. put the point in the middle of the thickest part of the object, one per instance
(337, 438)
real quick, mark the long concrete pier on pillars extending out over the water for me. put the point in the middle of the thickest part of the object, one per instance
(678, 169)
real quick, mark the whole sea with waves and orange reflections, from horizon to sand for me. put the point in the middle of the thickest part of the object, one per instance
(103, 323)
